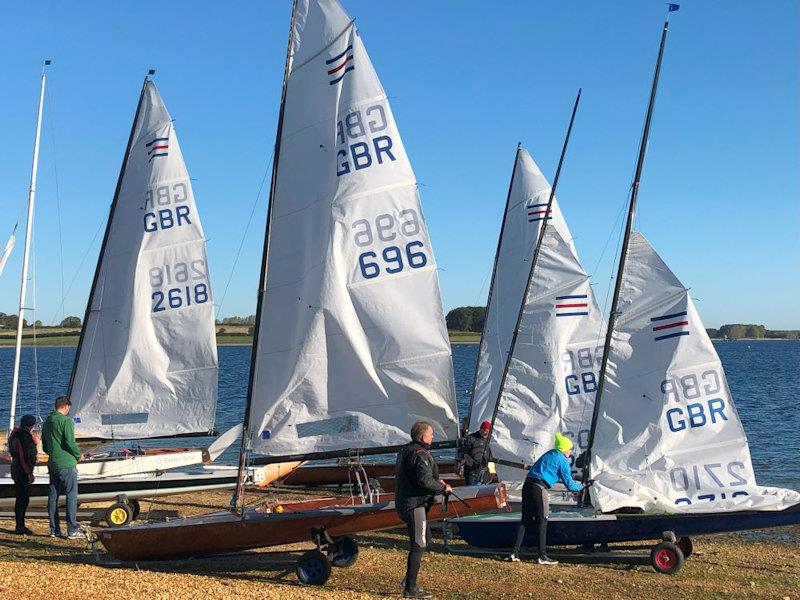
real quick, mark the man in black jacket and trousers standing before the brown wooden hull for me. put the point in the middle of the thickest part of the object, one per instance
(417, 481)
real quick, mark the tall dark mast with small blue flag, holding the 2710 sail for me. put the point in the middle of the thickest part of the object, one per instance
(612, 317)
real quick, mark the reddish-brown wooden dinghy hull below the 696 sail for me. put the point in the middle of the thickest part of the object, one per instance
(226, 531)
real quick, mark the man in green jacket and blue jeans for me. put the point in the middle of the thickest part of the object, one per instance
(58, 440)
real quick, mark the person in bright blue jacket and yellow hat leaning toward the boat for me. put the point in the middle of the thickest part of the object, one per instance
(551, 468)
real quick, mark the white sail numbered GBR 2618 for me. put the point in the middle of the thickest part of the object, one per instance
(147, 363)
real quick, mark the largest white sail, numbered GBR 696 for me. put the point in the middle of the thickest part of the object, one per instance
(352, 343)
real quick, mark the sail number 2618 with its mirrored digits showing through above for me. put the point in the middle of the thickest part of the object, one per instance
(175, 286)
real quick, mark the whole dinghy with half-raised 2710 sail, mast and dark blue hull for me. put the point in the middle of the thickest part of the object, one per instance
(666, 448)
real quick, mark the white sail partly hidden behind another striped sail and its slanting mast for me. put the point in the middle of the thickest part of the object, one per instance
(525, 211)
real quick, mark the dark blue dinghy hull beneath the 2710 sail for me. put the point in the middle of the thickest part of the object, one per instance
(499, 531)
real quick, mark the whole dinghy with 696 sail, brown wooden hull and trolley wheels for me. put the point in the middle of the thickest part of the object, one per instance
(350, 344)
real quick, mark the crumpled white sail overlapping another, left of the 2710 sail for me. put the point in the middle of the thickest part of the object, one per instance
(552, 377)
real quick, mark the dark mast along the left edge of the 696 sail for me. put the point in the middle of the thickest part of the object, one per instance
(238, 498)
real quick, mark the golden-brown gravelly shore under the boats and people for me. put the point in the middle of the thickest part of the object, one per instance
(722, 567)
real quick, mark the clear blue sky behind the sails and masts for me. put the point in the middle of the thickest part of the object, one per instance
(467, 81)
